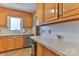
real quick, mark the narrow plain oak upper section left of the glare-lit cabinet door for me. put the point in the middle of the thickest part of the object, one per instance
(39, 12)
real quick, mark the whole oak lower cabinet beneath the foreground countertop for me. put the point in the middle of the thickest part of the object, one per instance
(43, 51)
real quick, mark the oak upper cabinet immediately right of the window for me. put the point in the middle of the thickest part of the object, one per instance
(27, 21)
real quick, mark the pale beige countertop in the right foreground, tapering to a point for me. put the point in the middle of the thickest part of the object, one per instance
(61, 47)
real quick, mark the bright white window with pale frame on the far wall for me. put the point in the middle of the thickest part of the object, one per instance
(15, 23)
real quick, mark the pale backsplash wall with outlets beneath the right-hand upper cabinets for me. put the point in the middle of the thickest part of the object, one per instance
(69, 31)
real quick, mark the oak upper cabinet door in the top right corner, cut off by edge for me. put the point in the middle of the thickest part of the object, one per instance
(68, 9)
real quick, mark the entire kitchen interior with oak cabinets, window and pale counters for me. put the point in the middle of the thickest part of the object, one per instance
(39, 29)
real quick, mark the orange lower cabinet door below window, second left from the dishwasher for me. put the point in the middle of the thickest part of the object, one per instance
(10, 43)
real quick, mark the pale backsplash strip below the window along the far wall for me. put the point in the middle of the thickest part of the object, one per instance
(6, 31)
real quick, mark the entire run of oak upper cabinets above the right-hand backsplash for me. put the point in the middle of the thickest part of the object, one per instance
(57, 12)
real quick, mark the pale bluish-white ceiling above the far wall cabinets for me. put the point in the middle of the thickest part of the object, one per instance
(28, 7)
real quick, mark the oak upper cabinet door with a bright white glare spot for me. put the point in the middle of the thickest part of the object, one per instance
(50, 12)
